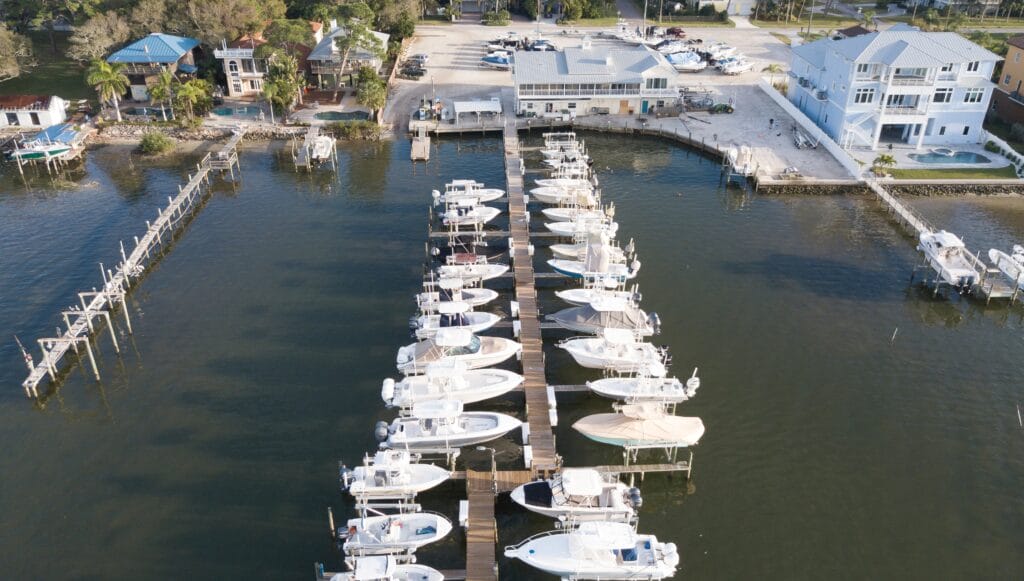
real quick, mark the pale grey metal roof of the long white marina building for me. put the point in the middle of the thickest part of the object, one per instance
(596, 65)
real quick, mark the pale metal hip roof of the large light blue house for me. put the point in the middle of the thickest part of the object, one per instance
(900, 47)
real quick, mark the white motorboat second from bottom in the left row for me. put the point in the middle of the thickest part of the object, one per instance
(394, 533)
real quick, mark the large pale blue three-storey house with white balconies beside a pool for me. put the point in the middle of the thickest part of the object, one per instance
(897, 87)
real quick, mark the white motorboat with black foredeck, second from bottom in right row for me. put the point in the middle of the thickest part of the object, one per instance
(580, 494)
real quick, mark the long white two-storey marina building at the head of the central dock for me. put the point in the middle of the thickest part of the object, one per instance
(590, 80)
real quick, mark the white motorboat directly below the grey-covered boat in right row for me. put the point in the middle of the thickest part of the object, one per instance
(616, 350)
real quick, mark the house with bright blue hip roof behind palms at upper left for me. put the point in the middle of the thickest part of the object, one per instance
(149, 56)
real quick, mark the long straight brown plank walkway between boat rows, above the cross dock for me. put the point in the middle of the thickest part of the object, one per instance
(541, 438)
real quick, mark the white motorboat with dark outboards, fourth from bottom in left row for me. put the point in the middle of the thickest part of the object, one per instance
(444, 425)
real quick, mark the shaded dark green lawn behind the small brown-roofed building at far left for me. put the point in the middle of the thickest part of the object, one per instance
(56, 75)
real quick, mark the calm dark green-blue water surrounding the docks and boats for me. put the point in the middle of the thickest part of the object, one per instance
(210, 447)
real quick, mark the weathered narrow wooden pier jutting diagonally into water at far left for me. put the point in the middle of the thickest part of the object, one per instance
(79, 321)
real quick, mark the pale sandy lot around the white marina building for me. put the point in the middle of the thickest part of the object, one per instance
(455, 72)
